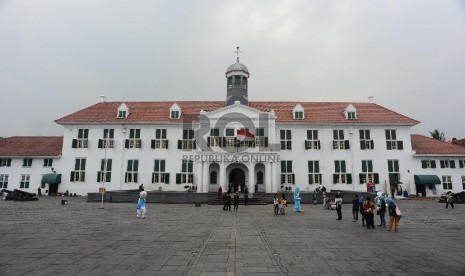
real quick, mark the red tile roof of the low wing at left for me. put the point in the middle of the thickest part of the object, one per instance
(30, 146)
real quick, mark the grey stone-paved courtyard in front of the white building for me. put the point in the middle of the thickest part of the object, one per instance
(47, 238)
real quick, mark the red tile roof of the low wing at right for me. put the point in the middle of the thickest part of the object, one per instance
(426, 145)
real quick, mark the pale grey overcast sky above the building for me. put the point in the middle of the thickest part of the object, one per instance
(57, 57)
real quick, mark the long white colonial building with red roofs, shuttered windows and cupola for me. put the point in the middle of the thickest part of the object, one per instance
(267, 146)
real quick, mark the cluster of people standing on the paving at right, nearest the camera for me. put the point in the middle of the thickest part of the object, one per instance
(367, 208)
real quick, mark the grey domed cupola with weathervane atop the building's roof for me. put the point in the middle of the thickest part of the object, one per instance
(237, 75)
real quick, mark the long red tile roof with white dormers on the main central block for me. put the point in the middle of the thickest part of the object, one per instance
(315, 112)
